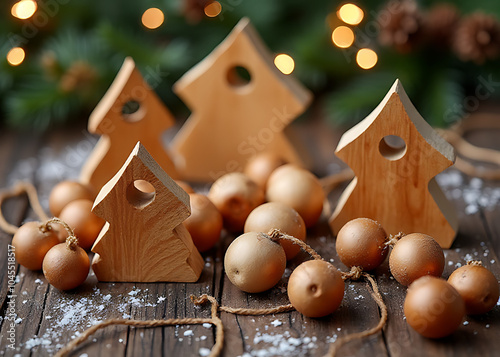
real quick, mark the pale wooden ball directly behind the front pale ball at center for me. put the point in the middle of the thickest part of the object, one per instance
(281, 216)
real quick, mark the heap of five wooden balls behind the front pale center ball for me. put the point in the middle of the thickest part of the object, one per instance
(237, 202)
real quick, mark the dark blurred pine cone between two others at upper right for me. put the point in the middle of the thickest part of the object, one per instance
(441, 24)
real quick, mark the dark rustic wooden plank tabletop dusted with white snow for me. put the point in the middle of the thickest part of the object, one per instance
(45, 319)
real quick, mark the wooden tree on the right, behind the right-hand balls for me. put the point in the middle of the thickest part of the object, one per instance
(395, 155)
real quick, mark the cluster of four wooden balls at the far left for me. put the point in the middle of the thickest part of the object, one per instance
(62, 258)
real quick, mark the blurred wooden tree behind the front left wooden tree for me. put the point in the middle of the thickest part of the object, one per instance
(120, 132)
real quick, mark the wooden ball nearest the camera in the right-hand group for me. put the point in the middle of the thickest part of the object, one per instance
(433, 307)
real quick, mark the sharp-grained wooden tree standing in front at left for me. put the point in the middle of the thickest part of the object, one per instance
(144, 239)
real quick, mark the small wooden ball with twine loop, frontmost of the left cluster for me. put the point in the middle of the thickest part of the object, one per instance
(66, 268)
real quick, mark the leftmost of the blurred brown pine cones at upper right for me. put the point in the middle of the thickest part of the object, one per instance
(401, 25)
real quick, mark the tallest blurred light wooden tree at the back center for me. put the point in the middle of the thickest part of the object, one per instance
(233, 119)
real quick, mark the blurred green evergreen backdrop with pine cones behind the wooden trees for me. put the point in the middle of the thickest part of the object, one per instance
(446, 54)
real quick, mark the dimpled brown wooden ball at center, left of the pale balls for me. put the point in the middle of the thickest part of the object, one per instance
(235, 196)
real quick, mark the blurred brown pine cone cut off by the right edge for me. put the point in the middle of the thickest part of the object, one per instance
(478, 38)
